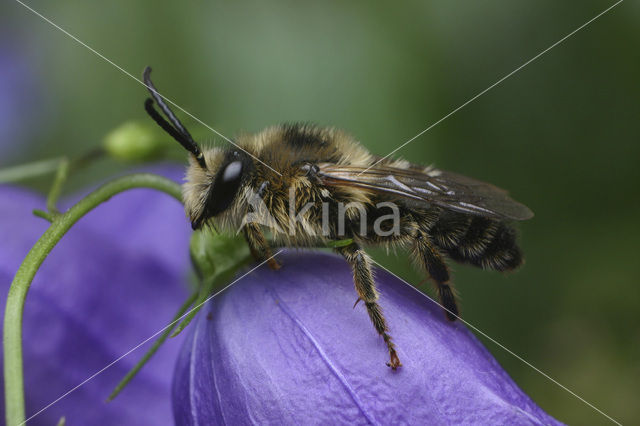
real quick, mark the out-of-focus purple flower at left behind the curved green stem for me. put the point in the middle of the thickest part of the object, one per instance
(115, 279)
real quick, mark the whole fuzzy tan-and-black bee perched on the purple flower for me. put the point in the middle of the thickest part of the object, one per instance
(310, 186)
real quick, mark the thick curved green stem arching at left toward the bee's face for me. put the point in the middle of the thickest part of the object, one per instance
(12, 332)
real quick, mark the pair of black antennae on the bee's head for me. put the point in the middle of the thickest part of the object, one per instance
(173, 127)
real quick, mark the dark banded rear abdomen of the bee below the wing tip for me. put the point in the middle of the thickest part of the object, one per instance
(476, 240)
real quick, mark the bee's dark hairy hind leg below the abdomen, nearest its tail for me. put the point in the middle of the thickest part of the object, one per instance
(430, 259)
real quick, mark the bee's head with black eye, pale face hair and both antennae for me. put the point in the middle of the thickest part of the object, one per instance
(214, 177)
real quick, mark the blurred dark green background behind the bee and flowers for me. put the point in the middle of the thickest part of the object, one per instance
(561, 134)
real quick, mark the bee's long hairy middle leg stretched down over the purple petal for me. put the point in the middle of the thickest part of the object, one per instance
(365, 286)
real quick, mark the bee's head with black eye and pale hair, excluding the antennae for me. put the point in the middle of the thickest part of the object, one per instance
(211, 191)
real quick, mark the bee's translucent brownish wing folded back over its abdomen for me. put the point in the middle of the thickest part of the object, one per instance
(445, 189)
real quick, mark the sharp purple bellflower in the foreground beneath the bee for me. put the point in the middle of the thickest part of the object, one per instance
(286, 347)
